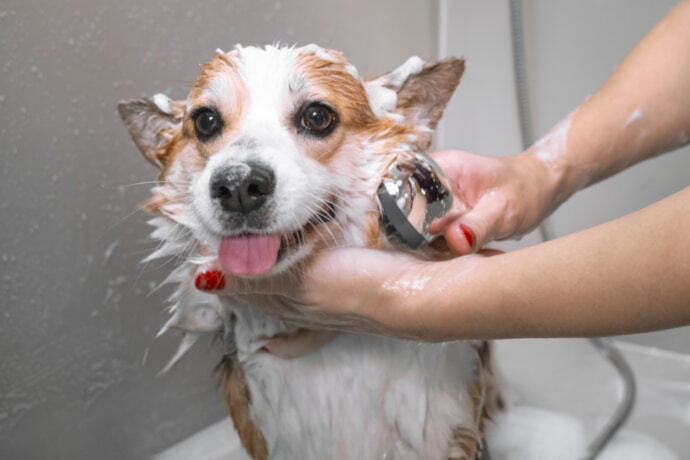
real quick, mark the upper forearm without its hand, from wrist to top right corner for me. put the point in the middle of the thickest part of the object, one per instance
(642, 110)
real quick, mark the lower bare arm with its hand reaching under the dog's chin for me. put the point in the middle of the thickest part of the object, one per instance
(628, 275)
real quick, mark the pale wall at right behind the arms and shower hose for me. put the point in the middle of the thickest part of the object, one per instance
(571, 48)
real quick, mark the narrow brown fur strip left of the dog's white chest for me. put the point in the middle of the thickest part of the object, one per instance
(239, 400)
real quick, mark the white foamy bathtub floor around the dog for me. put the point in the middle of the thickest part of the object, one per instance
(560, 392)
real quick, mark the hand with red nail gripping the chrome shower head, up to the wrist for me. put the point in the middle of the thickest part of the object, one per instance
(494, 197)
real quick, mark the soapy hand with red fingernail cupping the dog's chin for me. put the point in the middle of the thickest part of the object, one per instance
(343, 289)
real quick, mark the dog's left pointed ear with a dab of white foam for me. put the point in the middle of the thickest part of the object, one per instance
(152, 123)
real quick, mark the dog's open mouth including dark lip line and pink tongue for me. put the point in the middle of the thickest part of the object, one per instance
(252, 254)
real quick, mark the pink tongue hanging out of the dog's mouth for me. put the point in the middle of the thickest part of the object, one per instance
(248, 255)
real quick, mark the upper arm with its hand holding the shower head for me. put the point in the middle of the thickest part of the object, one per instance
(642, 110)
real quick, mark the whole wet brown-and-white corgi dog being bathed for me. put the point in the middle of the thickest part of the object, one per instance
(278, 152)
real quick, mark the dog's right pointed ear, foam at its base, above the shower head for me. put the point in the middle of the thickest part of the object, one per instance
(423, 90)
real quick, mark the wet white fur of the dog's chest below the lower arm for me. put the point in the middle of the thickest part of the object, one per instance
(362, 397)
